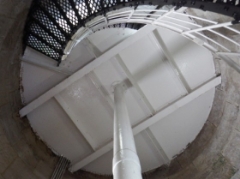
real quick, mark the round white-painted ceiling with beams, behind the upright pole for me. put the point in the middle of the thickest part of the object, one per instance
(84, 122)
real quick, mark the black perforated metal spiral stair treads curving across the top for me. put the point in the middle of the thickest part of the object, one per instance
(51, 23)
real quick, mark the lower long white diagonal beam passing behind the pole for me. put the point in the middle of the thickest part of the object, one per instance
(151, 121)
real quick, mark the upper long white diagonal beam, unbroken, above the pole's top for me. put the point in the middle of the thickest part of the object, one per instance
(86, 69)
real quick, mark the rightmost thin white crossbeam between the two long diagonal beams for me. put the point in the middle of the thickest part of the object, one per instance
(170, 59)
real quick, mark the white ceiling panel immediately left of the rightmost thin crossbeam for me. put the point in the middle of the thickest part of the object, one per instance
(153, 73)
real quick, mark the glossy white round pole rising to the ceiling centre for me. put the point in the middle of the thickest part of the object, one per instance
(126, 164)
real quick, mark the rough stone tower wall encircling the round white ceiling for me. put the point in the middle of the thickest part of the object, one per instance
(214, 154)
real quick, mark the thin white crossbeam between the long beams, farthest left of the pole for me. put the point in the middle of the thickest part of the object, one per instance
(76, 121)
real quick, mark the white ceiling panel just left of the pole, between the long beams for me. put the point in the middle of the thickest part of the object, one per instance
(89, 111)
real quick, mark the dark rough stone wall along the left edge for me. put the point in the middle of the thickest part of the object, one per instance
(22, 156)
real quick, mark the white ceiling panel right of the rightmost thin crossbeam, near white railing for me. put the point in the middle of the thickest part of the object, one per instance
(187, 57)
